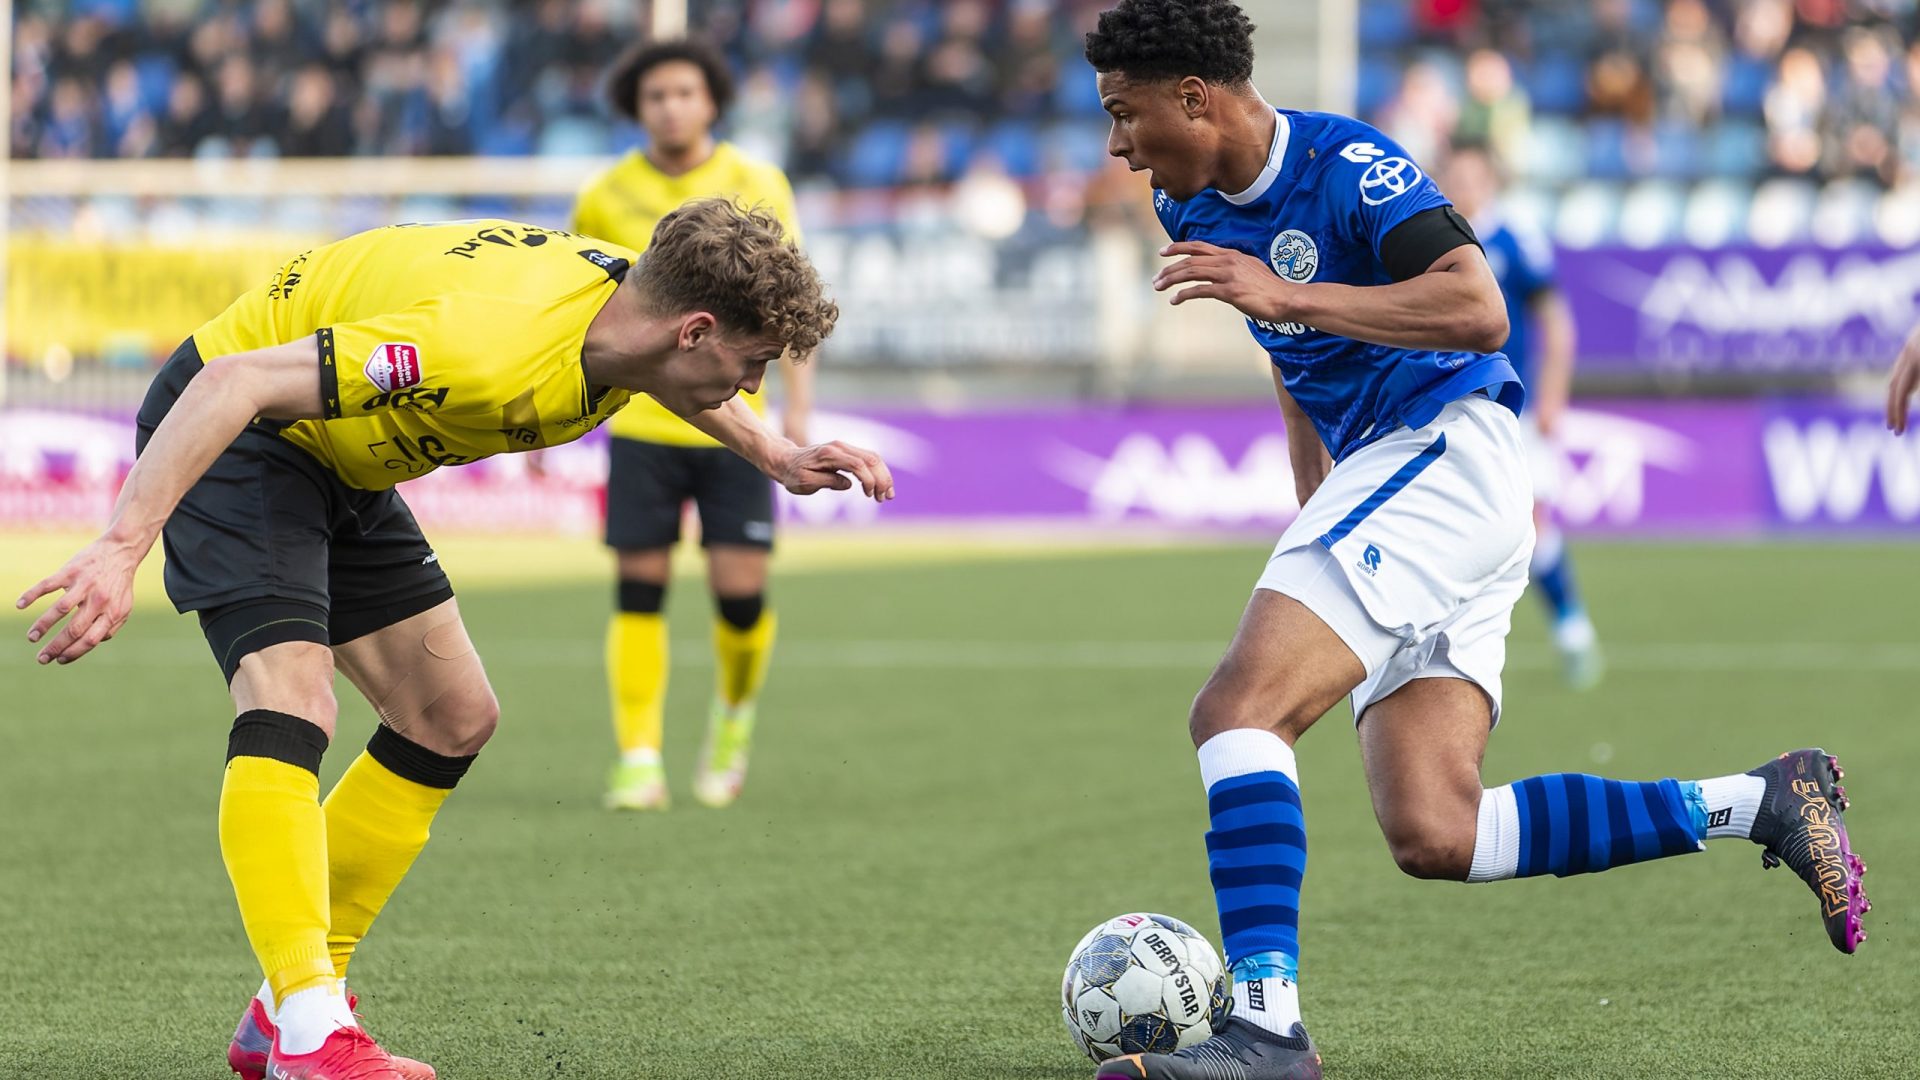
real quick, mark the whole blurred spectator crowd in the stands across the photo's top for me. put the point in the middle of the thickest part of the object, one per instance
(911, 91)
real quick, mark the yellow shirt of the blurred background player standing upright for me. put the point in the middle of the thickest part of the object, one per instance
(625, 203)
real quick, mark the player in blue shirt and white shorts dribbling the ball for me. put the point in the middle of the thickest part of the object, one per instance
(1397, 583)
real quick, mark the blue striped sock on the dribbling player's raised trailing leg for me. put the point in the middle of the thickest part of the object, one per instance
(1572, 823)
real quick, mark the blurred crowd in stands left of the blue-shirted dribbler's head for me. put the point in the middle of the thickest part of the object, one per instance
(846, 91)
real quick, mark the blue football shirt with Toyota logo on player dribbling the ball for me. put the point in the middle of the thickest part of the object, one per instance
(1330, 195)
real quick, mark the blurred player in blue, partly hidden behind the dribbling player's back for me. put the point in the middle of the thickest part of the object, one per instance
(1541, 347)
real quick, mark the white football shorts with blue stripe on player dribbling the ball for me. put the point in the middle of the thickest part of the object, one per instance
(1416, 549)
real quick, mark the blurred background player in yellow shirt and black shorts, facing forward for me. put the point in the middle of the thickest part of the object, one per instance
(679, 91)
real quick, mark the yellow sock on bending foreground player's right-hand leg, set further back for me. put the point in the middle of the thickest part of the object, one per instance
(377, 823)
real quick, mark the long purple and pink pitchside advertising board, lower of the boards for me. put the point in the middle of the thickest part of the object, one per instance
(1621, 468)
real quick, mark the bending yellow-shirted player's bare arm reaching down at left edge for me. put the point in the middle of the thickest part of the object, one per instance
(226, 397)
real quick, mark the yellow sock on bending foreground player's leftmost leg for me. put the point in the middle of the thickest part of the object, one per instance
(274, 841)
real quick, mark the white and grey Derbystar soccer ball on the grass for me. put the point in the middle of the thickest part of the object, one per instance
(1143, 985)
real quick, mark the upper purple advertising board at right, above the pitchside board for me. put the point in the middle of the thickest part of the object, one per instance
(1742, 310)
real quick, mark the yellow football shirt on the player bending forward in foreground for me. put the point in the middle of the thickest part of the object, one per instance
(441, 343)
